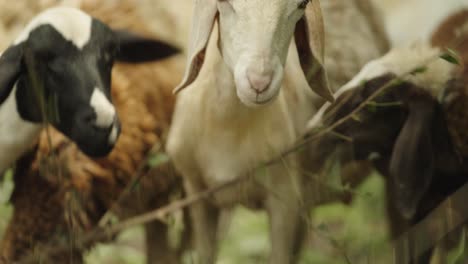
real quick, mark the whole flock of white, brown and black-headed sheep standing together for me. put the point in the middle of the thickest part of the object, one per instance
(79, 129)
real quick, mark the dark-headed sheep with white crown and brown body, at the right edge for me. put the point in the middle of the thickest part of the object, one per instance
(432, 109)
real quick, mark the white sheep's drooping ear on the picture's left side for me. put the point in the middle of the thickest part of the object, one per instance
(204, 15)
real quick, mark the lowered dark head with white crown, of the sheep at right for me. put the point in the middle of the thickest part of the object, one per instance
(405, 125)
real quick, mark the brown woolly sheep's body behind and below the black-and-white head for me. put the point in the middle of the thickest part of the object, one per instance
(50, 204)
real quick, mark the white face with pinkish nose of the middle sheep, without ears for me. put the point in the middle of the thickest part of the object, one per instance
(254, 40)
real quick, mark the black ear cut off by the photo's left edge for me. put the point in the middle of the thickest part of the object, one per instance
(10, 68)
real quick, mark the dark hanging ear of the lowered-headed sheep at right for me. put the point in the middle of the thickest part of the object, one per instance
(412, 161)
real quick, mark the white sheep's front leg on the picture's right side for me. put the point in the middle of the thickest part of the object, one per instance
(286, 223)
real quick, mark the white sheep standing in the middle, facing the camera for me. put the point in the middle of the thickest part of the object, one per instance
(246, 101)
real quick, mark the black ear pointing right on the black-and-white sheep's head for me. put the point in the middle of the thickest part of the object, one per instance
(135, 49)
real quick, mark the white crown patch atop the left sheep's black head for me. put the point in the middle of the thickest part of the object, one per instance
(73, 24)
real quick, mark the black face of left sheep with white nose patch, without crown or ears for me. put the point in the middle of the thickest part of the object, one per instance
(68, 77)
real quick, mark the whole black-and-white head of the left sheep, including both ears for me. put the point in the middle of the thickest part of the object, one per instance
(68, 56)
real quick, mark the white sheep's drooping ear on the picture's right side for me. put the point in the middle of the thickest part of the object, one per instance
(310, 37)
